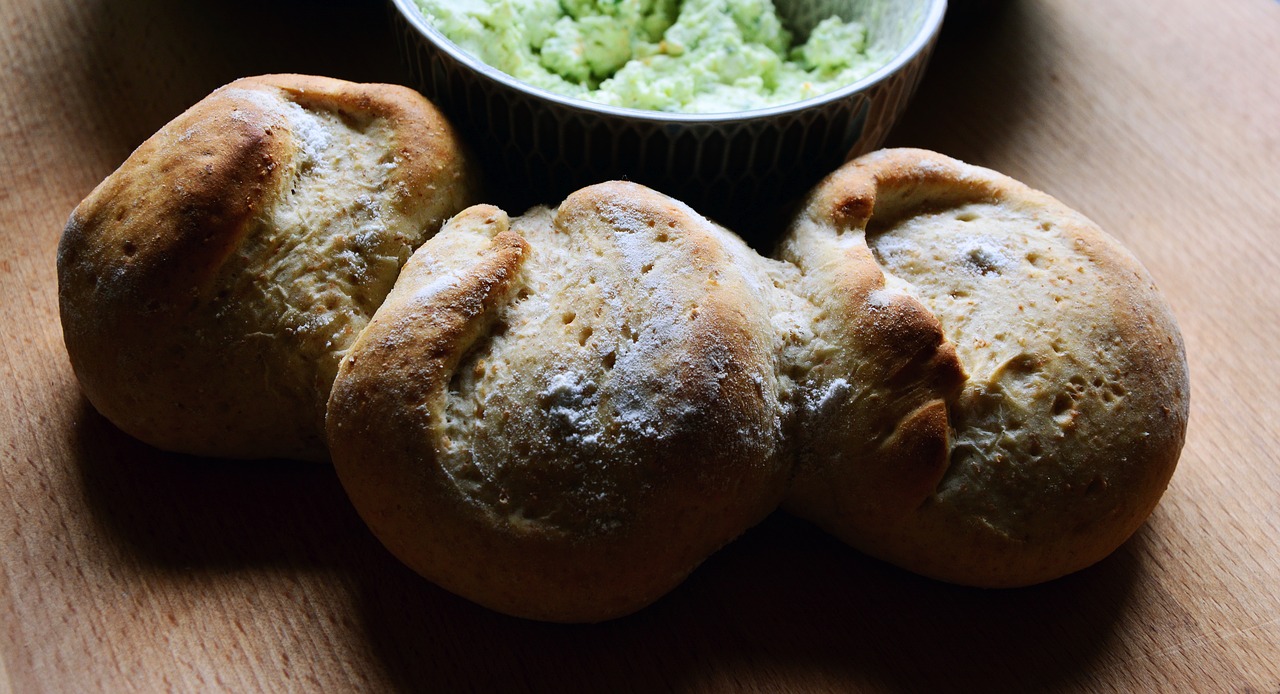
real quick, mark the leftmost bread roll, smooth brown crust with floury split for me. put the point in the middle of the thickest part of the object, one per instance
(209, 287)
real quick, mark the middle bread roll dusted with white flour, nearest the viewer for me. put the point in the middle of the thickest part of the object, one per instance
(560, 417)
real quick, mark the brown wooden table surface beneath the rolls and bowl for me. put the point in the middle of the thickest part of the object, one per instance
(125, 569)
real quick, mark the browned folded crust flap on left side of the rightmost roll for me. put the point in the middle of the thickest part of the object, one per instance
(872, 436)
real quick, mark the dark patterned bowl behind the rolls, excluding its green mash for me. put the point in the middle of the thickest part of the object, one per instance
(740, 168)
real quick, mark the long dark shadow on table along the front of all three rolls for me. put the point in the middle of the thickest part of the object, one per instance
(784, 604)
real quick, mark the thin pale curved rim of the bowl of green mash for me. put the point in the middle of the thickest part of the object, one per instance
(920, 42)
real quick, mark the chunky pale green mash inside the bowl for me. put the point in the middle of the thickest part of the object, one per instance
(666, 56)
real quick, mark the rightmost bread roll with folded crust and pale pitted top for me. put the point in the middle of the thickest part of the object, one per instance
(1040, 436)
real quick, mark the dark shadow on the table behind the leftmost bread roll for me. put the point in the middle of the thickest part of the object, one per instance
(166, 56)
